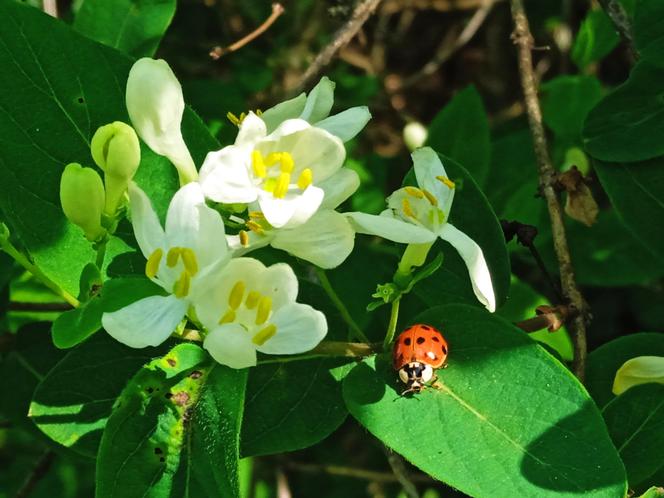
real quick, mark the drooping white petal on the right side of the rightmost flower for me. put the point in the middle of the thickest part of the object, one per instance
(472, 255)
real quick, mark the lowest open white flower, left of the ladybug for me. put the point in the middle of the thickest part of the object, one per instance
(252, 308)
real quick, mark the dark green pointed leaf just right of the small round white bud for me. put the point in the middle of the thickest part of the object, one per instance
(461, 131)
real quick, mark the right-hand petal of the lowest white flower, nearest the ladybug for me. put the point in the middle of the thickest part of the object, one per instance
(299, 328)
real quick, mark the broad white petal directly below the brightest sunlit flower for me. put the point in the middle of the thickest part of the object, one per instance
(326, 240)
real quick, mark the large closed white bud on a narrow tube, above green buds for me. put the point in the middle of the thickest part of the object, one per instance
(155, 105)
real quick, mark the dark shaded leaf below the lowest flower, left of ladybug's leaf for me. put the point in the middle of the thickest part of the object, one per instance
(293, 405)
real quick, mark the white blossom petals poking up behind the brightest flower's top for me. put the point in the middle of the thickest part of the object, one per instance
(315, 109)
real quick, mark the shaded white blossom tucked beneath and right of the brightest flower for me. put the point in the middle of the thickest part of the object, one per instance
(325, 240)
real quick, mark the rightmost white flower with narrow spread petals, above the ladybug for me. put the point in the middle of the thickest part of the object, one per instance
(418, 215)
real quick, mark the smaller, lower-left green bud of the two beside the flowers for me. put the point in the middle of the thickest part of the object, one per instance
(82, 197)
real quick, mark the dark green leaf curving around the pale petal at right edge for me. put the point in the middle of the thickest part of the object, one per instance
(604, 361)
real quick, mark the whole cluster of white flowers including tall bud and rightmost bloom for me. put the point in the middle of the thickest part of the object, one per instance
(284, 178)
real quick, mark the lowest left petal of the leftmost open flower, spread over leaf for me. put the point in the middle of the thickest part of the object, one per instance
(147, 322)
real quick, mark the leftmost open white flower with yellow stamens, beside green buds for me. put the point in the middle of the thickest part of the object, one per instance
(182, 259)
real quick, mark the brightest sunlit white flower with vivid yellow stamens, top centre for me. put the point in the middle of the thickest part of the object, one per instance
(278, 172)
